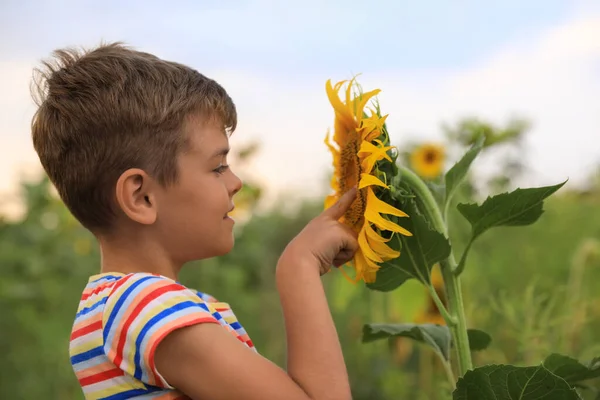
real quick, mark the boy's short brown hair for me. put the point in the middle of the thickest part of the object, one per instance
(112, 108)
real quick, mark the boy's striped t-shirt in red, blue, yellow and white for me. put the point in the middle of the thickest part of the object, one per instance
(120, 321)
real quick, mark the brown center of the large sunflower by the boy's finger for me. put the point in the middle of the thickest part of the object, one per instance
(350, 171)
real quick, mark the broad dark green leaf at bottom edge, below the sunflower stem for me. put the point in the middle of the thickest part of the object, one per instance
(508, 382)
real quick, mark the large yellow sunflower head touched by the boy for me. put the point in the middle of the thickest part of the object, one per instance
(359, 148)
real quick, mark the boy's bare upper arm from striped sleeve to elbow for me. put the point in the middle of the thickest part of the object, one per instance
(206, 362)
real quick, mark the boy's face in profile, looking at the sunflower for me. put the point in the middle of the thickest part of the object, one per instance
(192, 214)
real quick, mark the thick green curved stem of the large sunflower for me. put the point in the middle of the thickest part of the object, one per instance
(451, 281)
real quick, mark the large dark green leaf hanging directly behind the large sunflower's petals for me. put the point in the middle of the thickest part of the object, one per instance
(418, 253)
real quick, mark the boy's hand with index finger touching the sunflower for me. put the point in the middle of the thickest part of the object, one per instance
(325, 241)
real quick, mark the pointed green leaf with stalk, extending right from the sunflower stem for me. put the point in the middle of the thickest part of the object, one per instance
(519, 208)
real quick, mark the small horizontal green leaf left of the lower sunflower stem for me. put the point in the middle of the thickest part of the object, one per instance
(436, 336)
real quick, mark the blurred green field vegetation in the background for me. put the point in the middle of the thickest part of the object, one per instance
(534, 289)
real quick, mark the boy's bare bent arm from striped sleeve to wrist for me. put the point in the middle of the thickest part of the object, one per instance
(206, 362)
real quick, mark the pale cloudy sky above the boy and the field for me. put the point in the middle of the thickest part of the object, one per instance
(435, 62)
